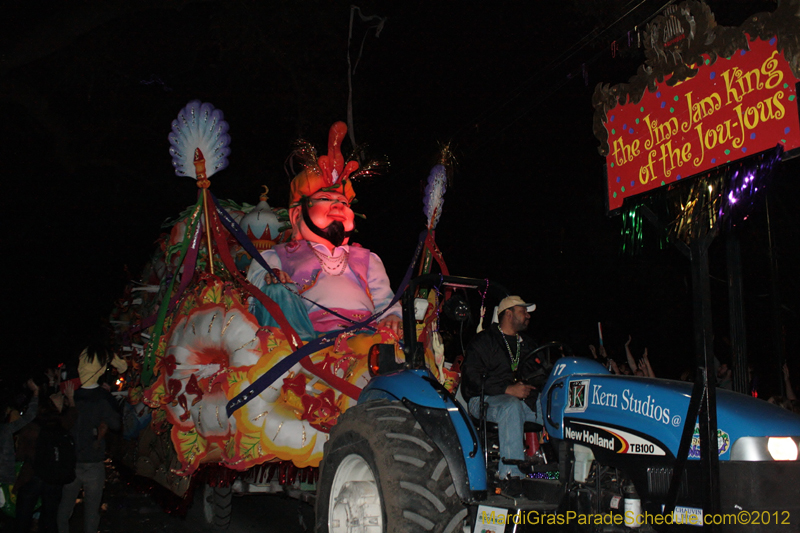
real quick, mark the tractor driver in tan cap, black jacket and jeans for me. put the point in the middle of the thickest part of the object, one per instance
(492, 364)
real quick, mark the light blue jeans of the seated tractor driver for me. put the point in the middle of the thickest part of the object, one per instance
(510, 414)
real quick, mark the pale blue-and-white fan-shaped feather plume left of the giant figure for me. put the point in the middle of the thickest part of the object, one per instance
(199, 125)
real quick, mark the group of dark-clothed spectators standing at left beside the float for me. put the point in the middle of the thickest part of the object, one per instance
(52, 443)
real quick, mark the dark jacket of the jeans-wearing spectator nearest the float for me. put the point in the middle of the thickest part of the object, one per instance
(93, 408)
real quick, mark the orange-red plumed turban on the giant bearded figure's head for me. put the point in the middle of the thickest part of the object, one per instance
(326, 173)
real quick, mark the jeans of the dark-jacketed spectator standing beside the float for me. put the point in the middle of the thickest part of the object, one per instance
(92, 477)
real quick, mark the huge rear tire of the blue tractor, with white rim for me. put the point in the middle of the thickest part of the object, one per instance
(382, 474)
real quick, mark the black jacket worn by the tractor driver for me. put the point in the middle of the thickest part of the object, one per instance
(488, 355)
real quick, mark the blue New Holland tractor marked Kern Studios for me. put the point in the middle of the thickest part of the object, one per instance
(409, 457)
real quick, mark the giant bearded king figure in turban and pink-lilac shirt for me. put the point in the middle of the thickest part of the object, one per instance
(339, 283)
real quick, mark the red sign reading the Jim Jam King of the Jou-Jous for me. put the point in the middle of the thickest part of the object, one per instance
(730, 109)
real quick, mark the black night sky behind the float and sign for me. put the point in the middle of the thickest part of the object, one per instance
(89, 89)
